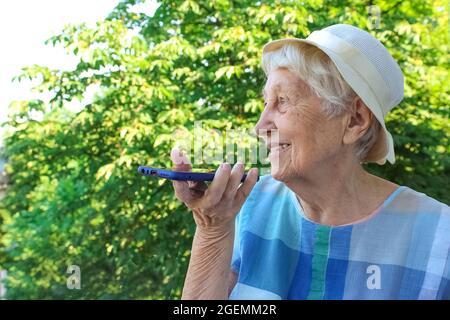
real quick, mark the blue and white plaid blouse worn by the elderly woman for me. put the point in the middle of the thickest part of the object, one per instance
(400, 252)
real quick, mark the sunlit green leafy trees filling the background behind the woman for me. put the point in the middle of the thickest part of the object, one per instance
(73, 196)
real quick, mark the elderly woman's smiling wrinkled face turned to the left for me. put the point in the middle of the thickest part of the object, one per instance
(307, 139)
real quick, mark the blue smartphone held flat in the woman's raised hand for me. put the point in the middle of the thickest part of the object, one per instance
(179, 175)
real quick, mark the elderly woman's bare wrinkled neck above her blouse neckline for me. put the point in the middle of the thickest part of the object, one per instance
(340, 196)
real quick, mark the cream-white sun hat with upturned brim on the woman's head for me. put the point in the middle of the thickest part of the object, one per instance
(367, 67)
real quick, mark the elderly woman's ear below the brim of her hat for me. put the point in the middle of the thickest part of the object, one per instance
(358, 121)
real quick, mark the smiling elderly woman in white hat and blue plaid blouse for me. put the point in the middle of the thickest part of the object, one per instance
(320, 226)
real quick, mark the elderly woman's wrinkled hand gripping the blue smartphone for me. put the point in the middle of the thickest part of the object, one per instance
(214, 207)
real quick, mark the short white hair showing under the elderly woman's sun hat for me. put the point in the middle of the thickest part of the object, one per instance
(318, 71)
